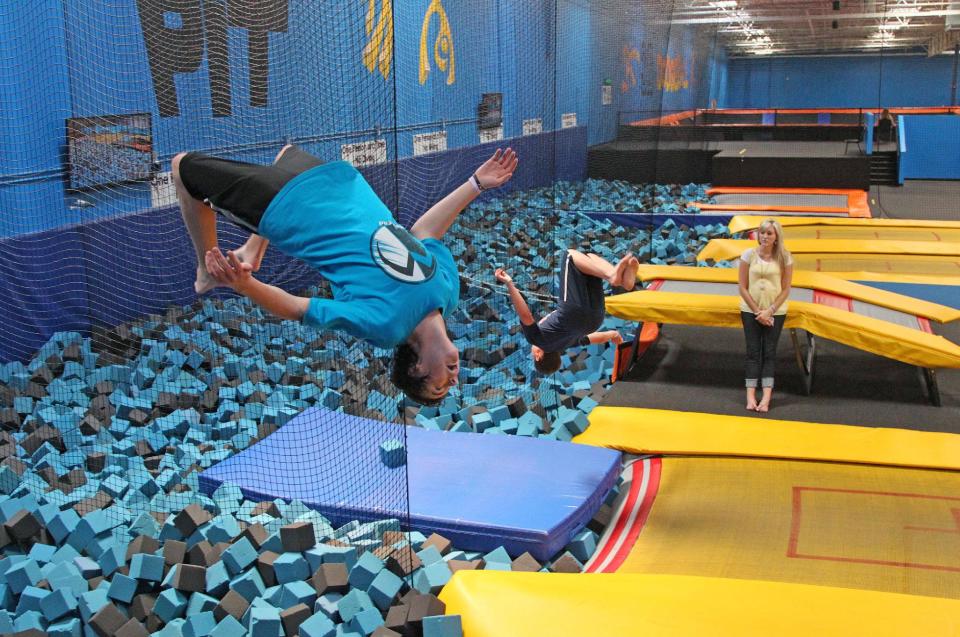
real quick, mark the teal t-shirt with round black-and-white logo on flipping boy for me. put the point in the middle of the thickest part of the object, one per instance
(384, 279)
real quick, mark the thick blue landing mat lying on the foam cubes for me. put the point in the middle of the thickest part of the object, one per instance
(477, 490)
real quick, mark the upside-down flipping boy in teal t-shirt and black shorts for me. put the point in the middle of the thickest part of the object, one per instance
(391, 287)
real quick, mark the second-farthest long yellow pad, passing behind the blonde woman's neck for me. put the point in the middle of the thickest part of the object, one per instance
(726, 249)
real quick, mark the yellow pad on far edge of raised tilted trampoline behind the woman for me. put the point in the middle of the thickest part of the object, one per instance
(811, 281)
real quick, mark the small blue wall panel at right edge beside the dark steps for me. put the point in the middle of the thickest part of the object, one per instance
(932, 147)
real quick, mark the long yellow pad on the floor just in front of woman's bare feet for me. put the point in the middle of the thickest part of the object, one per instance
(661, 431)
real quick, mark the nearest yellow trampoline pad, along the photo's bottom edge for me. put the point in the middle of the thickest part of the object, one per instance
(498, 603)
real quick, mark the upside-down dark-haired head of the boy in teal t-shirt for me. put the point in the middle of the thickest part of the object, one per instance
(427, 371)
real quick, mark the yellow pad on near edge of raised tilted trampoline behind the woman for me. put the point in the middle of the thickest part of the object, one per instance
(861, 332)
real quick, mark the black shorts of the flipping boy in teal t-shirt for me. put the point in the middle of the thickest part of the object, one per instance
(239, 190)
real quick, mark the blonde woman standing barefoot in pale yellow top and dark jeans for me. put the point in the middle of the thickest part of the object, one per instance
(766, 272)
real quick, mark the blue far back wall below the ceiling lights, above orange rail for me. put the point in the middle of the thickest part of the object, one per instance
(839, 82)
